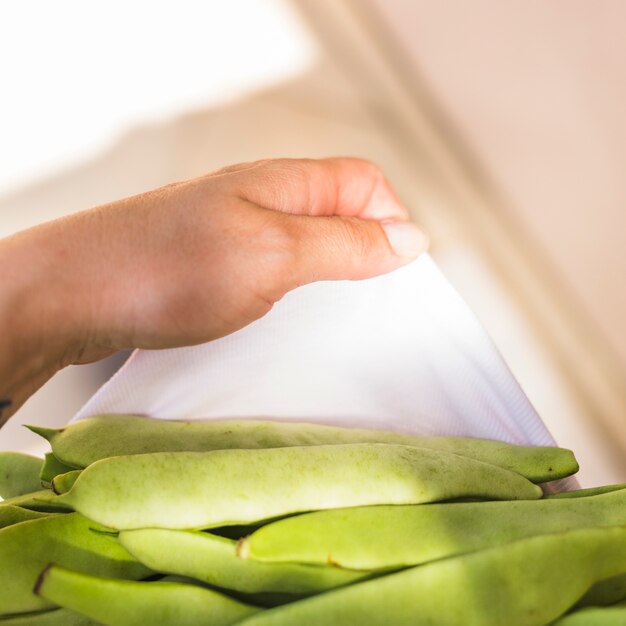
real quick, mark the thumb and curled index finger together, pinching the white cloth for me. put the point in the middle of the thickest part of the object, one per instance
(340, 217)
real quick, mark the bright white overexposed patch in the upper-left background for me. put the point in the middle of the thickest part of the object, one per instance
(77, 76)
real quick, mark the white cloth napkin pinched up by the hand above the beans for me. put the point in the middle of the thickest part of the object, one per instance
(401, 351)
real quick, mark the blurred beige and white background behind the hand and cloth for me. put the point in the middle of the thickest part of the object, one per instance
(500, 123)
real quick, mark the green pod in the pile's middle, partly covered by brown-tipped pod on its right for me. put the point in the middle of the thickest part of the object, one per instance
(214, 560)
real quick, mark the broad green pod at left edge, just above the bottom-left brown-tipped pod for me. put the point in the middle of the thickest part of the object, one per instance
(26, 548)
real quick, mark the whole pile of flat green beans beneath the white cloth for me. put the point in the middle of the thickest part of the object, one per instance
(131, 521)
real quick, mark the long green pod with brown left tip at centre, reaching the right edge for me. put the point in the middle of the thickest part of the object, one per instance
(383, 537)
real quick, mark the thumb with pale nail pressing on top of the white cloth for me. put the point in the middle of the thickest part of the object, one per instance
(334, 248)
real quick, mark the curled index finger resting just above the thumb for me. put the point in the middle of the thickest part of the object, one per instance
(339, 186)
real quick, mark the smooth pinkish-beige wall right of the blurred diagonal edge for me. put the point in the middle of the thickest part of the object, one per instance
(537, 90)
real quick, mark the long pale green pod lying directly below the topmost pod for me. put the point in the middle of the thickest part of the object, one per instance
(190, 490)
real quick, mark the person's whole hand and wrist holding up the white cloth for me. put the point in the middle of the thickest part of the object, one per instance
(189, 262)
